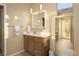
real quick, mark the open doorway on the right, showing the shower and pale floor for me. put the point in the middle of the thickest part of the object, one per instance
(63, 39)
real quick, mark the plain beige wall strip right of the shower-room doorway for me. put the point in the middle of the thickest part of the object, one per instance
(76, 29)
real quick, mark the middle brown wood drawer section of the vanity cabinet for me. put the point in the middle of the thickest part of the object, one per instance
(37, 46)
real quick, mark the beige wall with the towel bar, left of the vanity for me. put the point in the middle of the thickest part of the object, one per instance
(14, 42)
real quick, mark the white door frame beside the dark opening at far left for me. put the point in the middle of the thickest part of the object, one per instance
(4, 39)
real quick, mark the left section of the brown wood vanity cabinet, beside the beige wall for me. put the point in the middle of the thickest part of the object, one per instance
(28, 44)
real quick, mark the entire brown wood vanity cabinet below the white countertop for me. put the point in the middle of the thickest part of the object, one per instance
(38, 46)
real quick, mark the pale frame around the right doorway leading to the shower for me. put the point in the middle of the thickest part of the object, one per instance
(60, 16)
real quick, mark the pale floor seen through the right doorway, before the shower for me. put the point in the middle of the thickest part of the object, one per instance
(64, 47)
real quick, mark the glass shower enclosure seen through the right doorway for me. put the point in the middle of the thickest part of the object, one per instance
(64, 27)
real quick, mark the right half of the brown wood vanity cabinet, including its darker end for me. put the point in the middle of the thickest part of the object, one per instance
(41, 46)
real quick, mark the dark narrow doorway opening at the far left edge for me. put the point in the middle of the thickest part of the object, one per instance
(1, 30)
